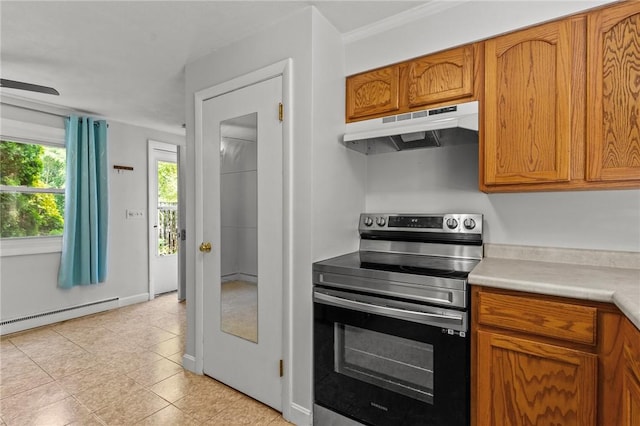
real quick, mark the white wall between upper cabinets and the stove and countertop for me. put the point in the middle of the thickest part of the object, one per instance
(446, 180)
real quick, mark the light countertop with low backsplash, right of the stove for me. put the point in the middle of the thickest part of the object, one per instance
(581, 274)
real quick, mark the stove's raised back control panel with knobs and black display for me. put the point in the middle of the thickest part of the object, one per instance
(468, 223)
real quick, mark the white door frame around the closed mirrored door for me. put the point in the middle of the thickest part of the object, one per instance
(284, 69)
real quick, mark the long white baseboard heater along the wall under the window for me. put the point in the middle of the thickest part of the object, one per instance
(45, 318)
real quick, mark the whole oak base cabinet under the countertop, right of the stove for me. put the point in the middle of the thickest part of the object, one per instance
(549, 360)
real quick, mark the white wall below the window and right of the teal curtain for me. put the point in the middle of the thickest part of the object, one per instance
(29, 283)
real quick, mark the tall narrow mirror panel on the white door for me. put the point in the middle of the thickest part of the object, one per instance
(239, 220)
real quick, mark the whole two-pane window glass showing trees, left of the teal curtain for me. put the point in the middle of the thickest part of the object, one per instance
(32, 180)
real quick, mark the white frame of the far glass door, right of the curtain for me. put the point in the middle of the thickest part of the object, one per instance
(153, 147)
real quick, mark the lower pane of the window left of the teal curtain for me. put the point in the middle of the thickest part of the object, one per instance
(31, 215)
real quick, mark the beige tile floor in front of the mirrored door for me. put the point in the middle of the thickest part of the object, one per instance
(120, 367)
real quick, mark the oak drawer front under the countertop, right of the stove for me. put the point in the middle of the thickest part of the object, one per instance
(559, 320)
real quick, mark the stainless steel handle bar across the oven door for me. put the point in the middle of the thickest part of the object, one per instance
(428, 318)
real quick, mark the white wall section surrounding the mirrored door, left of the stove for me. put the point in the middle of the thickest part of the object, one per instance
(325, 181)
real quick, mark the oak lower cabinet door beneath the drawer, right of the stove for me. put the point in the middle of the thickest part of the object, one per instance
(524, 382)
